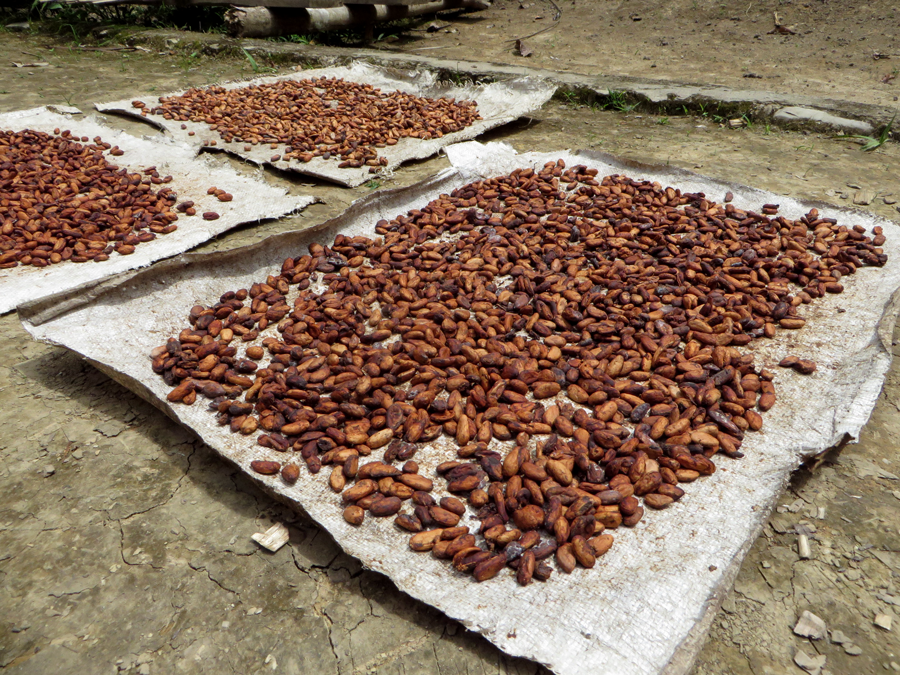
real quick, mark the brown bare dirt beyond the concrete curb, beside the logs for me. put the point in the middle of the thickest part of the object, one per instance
(841, 50)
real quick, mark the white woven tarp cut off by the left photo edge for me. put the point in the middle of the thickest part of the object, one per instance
(254, 200)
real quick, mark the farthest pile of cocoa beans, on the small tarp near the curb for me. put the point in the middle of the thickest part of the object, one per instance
(317, 117)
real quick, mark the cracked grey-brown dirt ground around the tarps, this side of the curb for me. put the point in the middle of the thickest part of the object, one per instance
(125, 543)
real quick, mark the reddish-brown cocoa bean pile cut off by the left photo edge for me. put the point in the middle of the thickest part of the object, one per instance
(60, 199)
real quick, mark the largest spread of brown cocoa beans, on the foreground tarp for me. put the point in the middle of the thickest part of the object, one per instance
(577, 340)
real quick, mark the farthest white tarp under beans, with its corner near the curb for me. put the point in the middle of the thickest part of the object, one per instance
(498, 103)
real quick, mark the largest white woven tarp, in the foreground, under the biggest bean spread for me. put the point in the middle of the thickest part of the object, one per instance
(647, 605)
